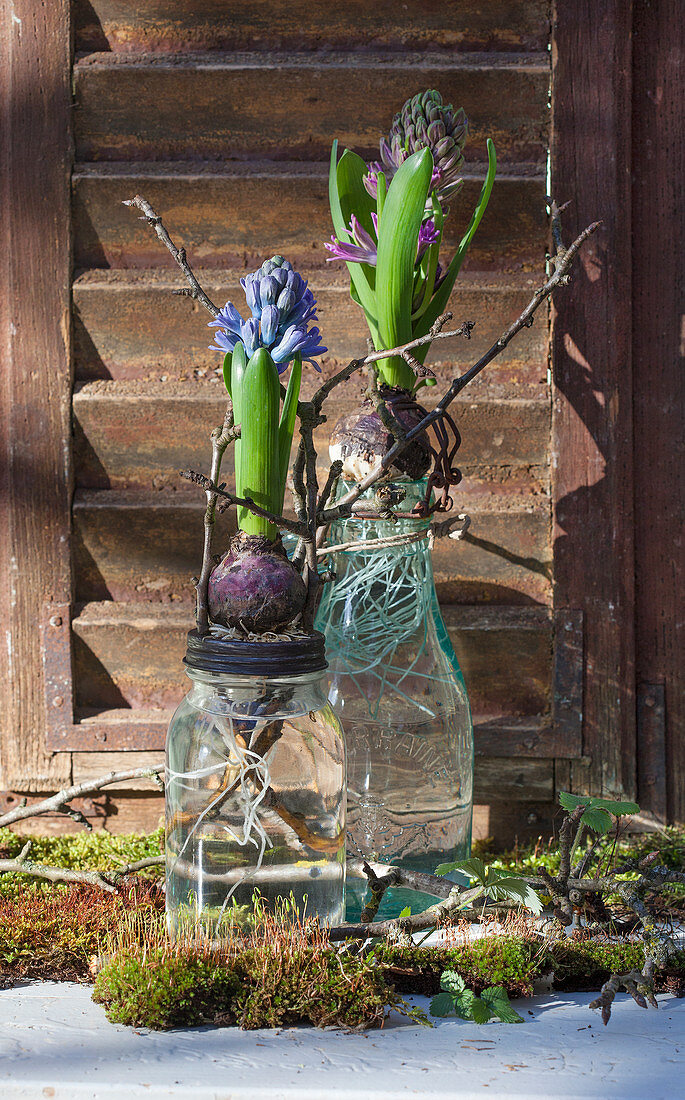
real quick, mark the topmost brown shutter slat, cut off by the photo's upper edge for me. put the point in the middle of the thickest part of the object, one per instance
(229, 25)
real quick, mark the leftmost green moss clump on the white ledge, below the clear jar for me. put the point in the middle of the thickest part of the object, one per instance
(163, 991)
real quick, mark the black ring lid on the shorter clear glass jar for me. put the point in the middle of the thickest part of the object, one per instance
(290, 658)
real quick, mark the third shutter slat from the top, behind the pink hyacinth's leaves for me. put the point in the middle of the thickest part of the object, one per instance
(228, 217)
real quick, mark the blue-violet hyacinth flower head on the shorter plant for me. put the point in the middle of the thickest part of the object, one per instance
(282, 310)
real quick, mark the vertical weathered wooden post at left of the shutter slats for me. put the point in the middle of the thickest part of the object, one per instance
(36, 300)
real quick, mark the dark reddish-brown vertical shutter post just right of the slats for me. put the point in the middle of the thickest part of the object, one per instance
(592, 423)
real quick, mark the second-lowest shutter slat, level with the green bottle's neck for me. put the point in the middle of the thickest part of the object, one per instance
(139, 547)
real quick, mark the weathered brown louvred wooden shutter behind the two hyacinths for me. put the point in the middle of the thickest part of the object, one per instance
(222, 115)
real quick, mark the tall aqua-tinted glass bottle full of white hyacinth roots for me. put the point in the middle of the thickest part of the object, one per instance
(397, 687)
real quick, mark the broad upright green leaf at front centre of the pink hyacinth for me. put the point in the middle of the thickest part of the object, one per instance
(399, 237)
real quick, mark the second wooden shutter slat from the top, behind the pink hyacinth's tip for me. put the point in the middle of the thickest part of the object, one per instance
(288, 107)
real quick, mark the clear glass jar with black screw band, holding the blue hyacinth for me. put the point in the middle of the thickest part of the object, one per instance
(256, 786)
